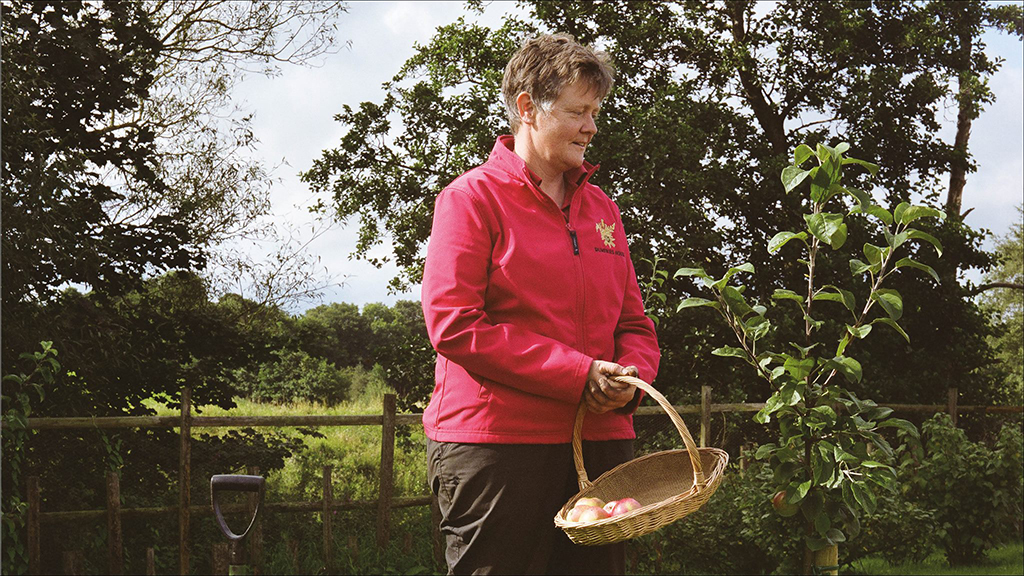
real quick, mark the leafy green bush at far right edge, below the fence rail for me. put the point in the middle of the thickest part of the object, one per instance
(974, 490)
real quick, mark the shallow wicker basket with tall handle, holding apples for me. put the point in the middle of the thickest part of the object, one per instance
(669, 485)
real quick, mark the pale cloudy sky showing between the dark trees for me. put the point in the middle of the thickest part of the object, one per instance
(293, 120)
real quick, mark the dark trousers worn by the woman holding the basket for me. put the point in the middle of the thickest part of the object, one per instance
(499, 502)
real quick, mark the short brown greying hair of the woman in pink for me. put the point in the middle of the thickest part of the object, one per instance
(546, 65)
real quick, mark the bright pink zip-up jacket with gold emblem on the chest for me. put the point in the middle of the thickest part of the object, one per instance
(520, 301)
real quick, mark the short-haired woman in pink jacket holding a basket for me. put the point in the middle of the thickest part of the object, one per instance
(533, 305)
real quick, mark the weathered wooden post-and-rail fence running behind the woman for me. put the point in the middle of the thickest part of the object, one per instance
(386, 503)
